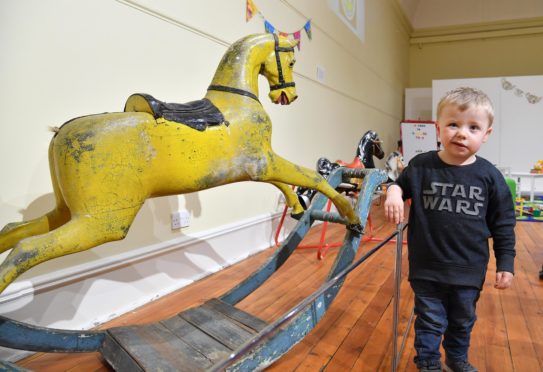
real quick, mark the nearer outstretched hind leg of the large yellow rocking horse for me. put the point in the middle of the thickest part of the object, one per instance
(77, 235)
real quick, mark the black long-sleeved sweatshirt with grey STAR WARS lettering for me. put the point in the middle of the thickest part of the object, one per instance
(454, 210)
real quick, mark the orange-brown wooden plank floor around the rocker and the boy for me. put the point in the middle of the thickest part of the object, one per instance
(355, 334)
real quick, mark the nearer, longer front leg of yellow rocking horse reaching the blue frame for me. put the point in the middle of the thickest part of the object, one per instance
(281, 170)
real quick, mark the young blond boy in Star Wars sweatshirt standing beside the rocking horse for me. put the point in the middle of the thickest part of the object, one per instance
(459, 200)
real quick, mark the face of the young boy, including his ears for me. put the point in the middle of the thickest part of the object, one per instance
(462, 133)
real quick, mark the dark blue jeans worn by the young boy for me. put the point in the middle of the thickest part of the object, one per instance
(443, 311)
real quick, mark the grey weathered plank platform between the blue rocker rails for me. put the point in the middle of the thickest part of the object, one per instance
(193, 340)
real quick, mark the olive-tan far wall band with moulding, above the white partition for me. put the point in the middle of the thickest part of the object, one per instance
(486, 50)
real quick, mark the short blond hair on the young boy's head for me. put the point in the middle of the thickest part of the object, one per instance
(464, 98)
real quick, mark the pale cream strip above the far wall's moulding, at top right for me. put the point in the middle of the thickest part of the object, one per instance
(437, 13)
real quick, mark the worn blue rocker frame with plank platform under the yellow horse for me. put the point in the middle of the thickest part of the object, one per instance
(216, 335)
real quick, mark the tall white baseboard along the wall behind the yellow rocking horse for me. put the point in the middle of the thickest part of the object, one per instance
(87, 295)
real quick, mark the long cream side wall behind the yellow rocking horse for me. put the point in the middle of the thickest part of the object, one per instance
(67, 58)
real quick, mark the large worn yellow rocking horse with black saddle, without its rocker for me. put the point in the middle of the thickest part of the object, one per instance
(103, 167)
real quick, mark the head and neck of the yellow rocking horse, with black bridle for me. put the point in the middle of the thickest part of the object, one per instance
(266, 54)
